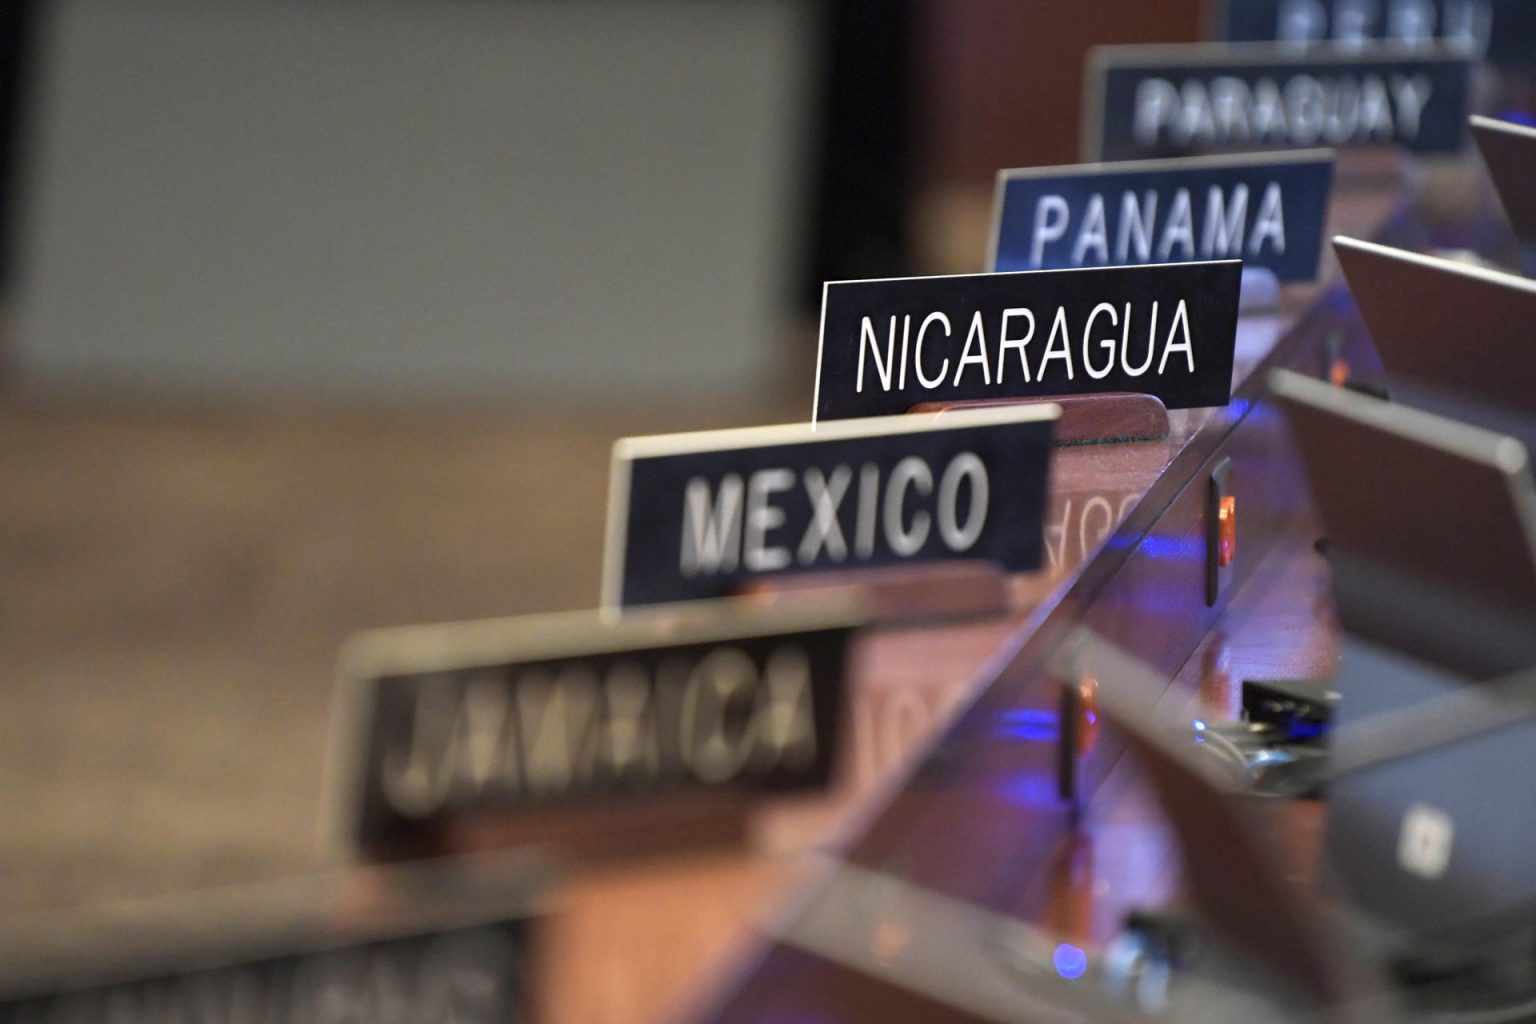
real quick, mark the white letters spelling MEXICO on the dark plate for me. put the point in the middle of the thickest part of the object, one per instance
(899, 510)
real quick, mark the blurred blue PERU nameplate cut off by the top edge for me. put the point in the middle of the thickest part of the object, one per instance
(1505, 31)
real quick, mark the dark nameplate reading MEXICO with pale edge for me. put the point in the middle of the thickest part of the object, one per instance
(703, 515)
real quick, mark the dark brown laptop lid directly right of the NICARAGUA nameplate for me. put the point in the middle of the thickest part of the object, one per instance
(1446, 325)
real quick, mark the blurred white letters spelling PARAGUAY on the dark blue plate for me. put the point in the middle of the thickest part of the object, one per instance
(1305, 110)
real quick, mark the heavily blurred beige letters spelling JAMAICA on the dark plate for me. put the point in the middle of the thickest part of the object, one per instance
(511, 735)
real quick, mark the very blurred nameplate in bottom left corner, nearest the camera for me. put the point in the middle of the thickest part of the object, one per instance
(240, 960)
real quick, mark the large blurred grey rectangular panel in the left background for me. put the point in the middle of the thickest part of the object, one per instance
(365, 196)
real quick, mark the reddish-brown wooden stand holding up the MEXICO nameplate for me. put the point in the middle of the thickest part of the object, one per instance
(905, 593)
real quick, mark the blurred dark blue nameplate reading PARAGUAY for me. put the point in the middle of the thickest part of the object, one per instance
(1191, 99)
